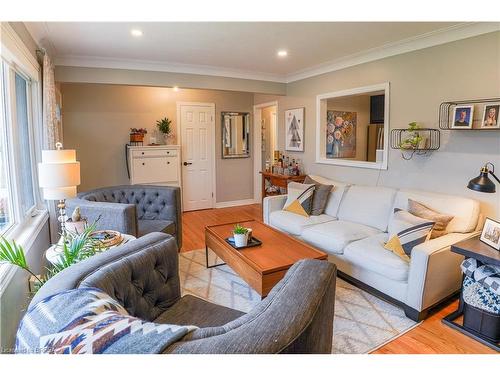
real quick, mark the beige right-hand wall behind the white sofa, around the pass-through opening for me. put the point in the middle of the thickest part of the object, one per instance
(420, 81)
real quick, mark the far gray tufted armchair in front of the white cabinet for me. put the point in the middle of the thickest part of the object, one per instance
(133, 209)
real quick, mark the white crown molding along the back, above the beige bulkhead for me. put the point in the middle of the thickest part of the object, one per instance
(158, 66)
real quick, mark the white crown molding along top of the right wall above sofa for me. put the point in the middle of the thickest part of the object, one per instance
(434, 38)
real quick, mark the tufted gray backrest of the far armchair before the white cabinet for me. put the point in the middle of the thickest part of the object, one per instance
(152, 202)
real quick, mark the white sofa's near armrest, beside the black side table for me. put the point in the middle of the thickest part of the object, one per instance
(434, 271)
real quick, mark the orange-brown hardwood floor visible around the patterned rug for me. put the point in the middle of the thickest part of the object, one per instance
(430, 337)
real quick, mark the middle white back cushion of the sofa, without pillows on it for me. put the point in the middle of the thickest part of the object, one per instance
(369, 205)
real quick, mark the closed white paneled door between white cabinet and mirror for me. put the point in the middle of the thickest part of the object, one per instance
(197, 133)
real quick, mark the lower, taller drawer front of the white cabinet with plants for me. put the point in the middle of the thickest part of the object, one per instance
(154, 169)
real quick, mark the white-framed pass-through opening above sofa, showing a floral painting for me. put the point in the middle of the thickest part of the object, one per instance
(352, 127)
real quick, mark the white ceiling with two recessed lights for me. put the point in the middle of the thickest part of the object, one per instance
(232, 49)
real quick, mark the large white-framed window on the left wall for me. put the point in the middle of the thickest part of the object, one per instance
(18, 144)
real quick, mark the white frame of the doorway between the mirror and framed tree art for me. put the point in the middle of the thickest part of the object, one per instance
(257, 146)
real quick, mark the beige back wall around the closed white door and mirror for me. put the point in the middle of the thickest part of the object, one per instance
(97, 119)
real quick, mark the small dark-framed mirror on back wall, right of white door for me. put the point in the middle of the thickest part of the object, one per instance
(235, 135)
